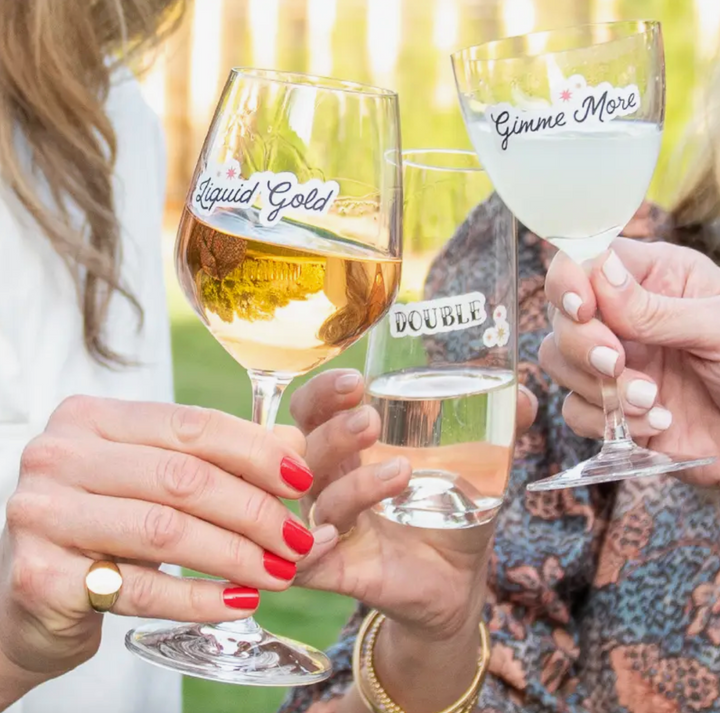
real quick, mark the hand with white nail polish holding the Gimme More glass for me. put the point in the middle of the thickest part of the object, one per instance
(660, 335)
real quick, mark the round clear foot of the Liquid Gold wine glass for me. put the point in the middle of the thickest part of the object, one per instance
(238, 652)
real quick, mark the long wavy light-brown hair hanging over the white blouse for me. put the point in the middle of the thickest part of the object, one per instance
(57, 58)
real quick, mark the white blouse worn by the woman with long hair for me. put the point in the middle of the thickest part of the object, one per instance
(43, 360)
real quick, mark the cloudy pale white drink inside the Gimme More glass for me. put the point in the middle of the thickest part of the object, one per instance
(578, 188)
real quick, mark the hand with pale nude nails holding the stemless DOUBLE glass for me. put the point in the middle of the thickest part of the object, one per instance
(429, 583)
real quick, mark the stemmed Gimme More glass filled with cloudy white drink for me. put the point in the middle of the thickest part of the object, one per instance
(568, 124)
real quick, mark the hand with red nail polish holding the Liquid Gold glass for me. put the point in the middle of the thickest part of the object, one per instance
(142, 484)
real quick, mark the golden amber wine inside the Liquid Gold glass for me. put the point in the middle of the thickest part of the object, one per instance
(284, 305)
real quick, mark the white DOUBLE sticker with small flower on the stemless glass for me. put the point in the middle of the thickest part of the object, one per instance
(449, 314)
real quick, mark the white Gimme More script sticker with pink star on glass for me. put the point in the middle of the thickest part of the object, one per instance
(575, 104)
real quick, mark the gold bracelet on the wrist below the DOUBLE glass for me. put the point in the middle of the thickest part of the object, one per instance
(371, 691)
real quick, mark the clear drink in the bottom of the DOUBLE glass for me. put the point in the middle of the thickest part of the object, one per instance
(457, 428)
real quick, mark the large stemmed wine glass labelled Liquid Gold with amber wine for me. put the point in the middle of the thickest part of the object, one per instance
(289, 250)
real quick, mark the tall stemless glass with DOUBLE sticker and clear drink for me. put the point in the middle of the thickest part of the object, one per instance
(441, 367)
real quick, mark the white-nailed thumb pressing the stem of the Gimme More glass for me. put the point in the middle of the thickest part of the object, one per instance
(634, 313)
